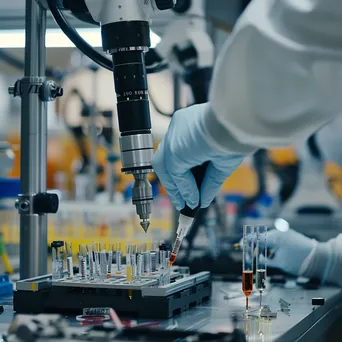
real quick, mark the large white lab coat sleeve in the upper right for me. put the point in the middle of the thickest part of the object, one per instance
(278, 78)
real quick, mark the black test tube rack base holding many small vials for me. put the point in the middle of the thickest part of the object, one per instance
(141, 299)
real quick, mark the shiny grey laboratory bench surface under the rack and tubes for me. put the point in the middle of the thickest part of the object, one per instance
(297, 319)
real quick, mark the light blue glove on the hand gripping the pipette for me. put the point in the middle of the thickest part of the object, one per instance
(185, 146)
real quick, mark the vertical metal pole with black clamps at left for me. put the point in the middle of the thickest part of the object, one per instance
(33, 228)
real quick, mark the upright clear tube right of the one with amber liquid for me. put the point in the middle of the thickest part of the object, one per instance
(261, 257)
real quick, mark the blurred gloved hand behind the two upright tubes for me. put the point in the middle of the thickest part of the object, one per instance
(289, 250)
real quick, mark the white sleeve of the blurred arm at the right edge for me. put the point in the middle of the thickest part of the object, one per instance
(326, 262)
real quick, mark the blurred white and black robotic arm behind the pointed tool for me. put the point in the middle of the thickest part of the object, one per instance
(188, 47)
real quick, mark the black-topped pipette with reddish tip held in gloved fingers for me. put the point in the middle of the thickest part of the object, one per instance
(187, 215)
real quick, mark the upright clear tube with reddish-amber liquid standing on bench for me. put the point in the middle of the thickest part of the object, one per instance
(247, 261)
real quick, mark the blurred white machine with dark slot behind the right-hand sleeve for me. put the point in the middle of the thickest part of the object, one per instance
(303, 208)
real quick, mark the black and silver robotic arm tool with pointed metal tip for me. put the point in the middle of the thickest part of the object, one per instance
(126, 37)
